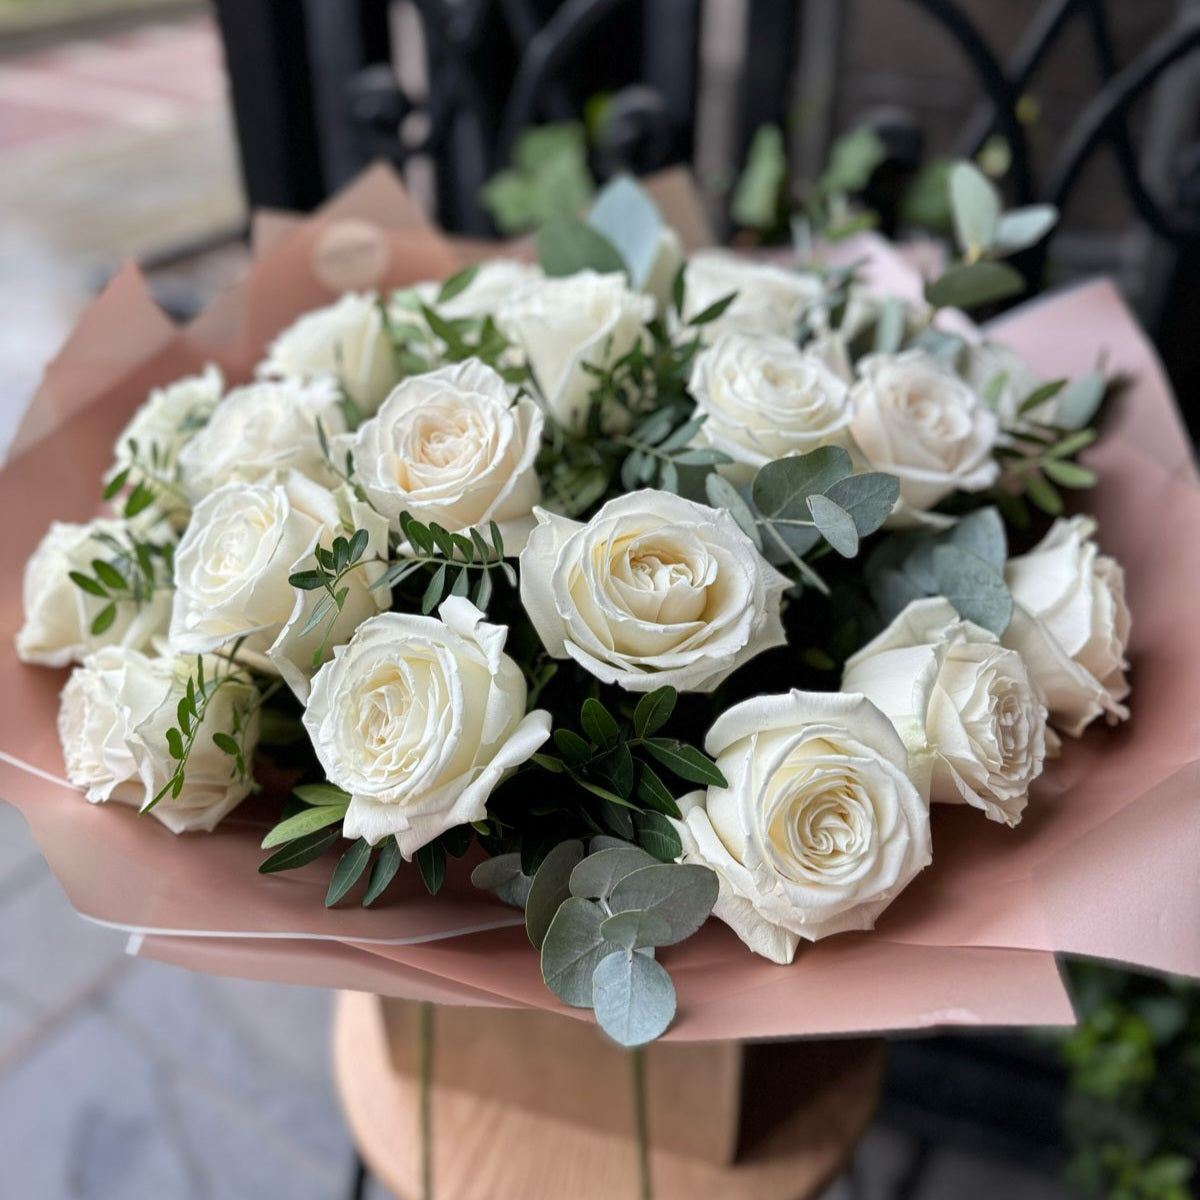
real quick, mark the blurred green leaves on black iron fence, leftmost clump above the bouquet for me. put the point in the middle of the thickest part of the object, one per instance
(549, 177)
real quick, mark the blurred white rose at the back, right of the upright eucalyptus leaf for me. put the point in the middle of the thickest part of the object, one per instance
(770, 299)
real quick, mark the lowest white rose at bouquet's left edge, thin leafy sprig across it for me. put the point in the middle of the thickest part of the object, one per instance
(113, 722)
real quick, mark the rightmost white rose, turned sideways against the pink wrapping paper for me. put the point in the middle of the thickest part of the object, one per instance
(1071, 625)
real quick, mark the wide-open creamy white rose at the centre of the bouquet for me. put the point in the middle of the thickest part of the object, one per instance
(655, 591)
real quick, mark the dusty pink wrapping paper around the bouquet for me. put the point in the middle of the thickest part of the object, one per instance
(1105, 863)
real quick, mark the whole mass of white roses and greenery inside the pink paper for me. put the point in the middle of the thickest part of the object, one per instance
(658, 586)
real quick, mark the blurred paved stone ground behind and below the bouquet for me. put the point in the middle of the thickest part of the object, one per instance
(123, 1079)
